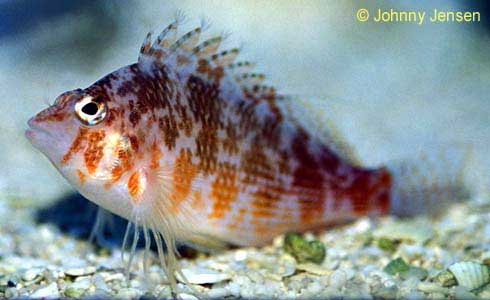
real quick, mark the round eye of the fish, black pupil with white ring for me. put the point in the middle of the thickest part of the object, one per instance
(90, 111)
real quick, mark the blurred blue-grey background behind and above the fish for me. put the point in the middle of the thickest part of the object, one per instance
(390, 88)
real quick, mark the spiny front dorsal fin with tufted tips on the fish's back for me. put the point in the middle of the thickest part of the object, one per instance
(187, 55)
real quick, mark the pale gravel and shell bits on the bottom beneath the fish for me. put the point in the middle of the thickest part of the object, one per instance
(38, 260)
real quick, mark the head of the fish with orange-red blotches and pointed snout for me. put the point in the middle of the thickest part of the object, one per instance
(85, 138)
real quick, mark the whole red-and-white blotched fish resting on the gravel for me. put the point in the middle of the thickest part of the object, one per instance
(190, 146)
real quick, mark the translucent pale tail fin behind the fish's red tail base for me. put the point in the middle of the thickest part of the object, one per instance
(429, 184)
